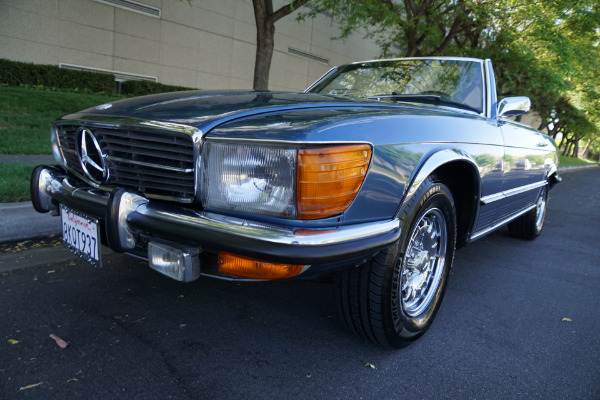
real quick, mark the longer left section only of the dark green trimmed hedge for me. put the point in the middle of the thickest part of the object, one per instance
(15, 73)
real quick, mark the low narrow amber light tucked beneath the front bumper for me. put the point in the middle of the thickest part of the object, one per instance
(251, 268)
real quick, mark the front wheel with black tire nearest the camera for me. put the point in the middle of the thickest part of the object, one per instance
(375, 301)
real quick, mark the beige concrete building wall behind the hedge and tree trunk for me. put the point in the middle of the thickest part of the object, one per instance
(207, 44)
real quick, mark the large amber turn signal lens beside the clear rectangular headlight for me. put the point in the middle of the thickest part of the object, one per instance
(329, 178)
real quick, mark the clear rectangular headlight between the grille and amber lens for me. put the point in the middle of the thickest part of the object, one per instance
(248, 178)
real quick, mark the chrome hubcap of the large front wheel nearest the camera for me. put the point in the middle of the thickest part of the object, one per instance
(423, 262)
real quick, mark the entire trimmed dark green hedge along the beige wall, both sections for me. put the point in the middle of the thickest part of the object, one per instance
(14, 73)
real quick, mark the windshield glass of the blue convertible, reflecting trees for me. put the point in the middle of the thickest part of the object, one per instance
(449, 81)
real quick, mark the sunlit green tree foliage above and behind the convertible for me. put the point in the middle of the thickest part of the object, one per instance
(547, 50)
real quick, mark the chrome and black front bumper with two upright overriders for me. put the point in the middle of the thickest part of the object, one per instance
(135, 224)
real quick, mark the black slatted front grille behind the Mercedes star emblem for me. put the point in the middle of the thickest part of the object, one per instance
(157, 163)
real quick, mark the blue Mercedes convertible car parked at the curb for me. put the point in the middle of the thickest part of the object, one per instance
(374, 175)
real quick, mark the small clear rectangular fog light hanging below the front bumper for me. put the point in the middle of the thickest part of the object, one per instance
(180, 264)
